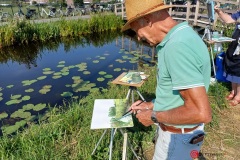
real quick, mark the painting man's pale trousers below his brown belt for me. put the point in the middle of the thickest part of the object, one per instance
(172, 146)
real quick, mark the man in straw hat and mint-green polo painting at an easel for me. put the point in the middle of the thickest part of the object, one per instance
(181, 107)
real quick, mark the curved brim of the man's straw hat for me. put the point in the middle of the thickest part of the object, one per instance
(127, 24)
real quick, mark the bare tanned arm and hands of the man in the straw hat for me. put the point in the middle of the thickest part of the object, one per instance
(196, 109)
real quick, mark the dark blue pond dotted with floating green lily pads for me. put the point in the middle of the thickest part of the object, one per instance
(36, 75)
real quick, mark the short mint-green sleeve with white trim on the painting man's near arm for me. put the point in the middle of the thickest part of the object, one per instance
(184, 66)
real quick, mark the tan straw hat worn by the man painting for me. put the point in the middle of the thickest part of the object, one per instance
(138, 8)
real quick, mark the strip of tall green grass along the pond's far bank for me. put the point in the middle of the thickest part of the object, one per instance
(23, 32)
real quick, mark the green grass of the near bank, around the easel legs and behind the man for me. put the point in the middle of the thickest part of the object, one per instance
(64, 132)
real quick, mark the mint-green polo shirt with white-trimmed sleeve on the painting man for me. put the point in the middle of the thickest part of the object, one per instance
(183, 62)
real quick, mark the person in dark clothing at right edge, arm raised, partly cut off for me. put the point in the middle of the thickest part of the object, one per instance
(232, 57)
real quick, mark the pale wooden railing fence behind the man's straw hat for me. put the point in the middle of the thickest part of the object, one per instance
(195, 15)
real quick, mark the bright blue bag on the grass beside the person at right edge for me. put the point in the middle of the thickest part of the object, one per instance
(219, 67)
